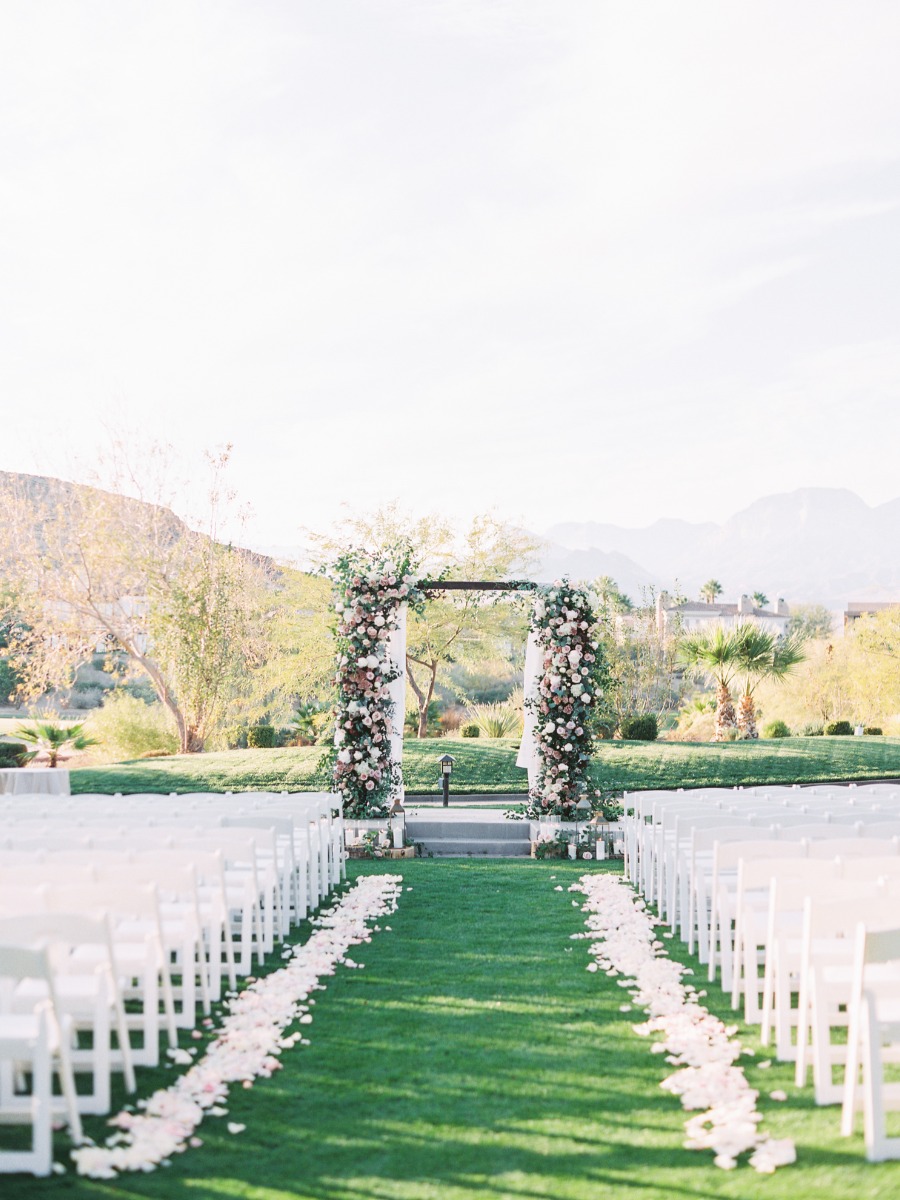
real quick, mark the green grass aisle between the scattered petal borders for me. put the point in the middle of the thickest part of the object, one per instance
(476, 1058)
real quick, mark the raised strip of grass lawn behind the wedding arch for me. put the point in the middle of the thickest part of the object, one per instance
(489, 767)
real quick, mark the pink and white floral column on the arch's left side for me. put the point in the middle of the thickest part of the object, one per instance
(370, 590)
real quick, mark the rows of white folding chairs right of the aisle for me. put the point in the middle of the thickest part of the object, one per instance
(791, 908)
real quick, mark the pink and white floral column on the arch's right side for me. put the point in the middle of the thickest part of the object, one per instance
(569, 688)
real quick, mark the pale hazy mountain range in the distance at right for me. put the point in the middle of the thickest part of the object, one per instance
(818, 544)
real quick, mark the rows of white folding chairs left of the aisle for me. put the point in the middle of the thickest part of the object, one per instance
(122, 919)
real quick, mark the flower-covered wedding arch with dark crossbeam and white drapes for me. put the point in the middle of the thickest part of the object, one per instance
(563, 682)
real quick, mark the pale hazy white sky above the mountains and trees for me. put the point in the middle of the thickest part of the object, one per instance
(566, 260)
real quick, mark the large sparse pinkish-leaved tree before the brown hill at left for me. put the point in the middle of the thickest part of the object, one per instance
(103, 568)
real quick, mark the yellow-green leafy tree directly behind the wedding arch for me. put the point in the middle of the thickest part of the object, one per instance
(457, 627)
